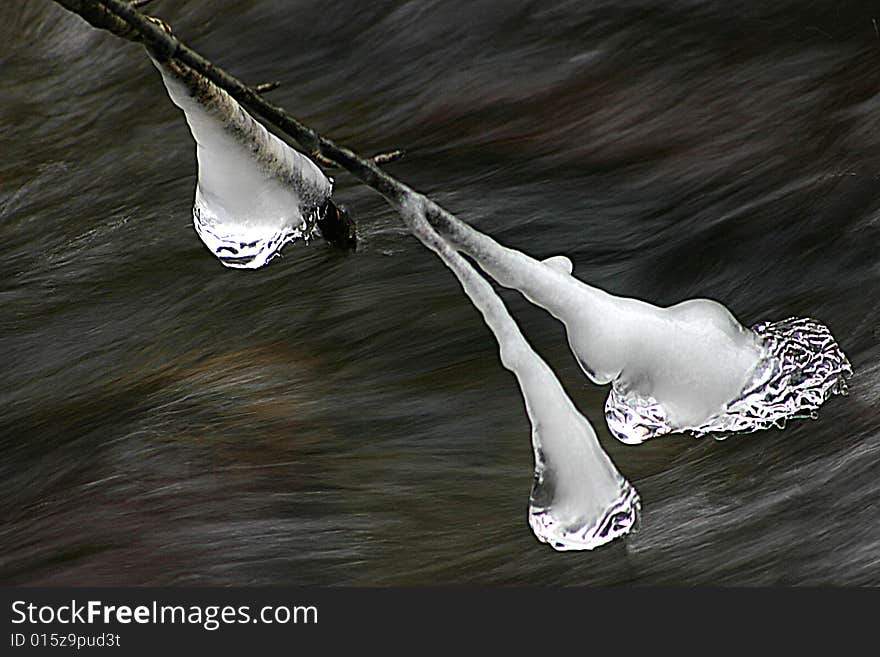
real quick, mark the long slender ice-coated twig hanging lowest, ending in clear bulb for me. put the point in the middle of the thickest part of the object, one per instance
(579, 500)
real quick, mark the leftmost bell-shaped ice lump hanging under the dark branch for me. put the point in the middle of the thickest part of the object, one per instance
(254, 192)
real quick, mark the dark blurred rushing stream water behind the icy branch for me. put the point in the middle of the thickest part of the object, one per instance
(343, 418)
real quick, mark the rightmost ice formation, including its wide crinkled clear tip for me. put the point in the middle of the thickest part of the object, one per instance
(689, 367)
